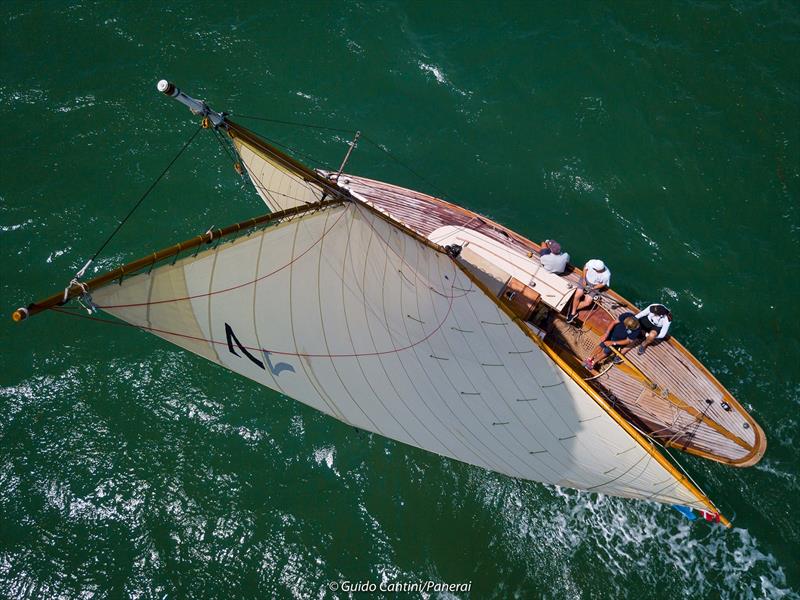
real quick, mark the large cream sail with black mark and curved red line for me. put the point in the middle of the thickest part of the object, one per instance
(346, 313)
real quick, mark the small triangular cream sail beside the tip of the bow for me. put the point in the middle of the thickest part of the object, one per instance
(279, 187)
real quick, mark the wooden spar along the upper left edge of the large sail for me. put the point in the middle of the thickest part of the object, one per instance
(75, 290)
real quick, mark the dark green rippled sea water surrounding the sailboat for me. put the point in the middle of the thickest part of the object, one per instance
(662, 137)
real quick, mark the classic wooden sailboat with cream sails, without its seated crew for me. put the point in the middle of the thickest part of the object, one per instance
(408, 316)
